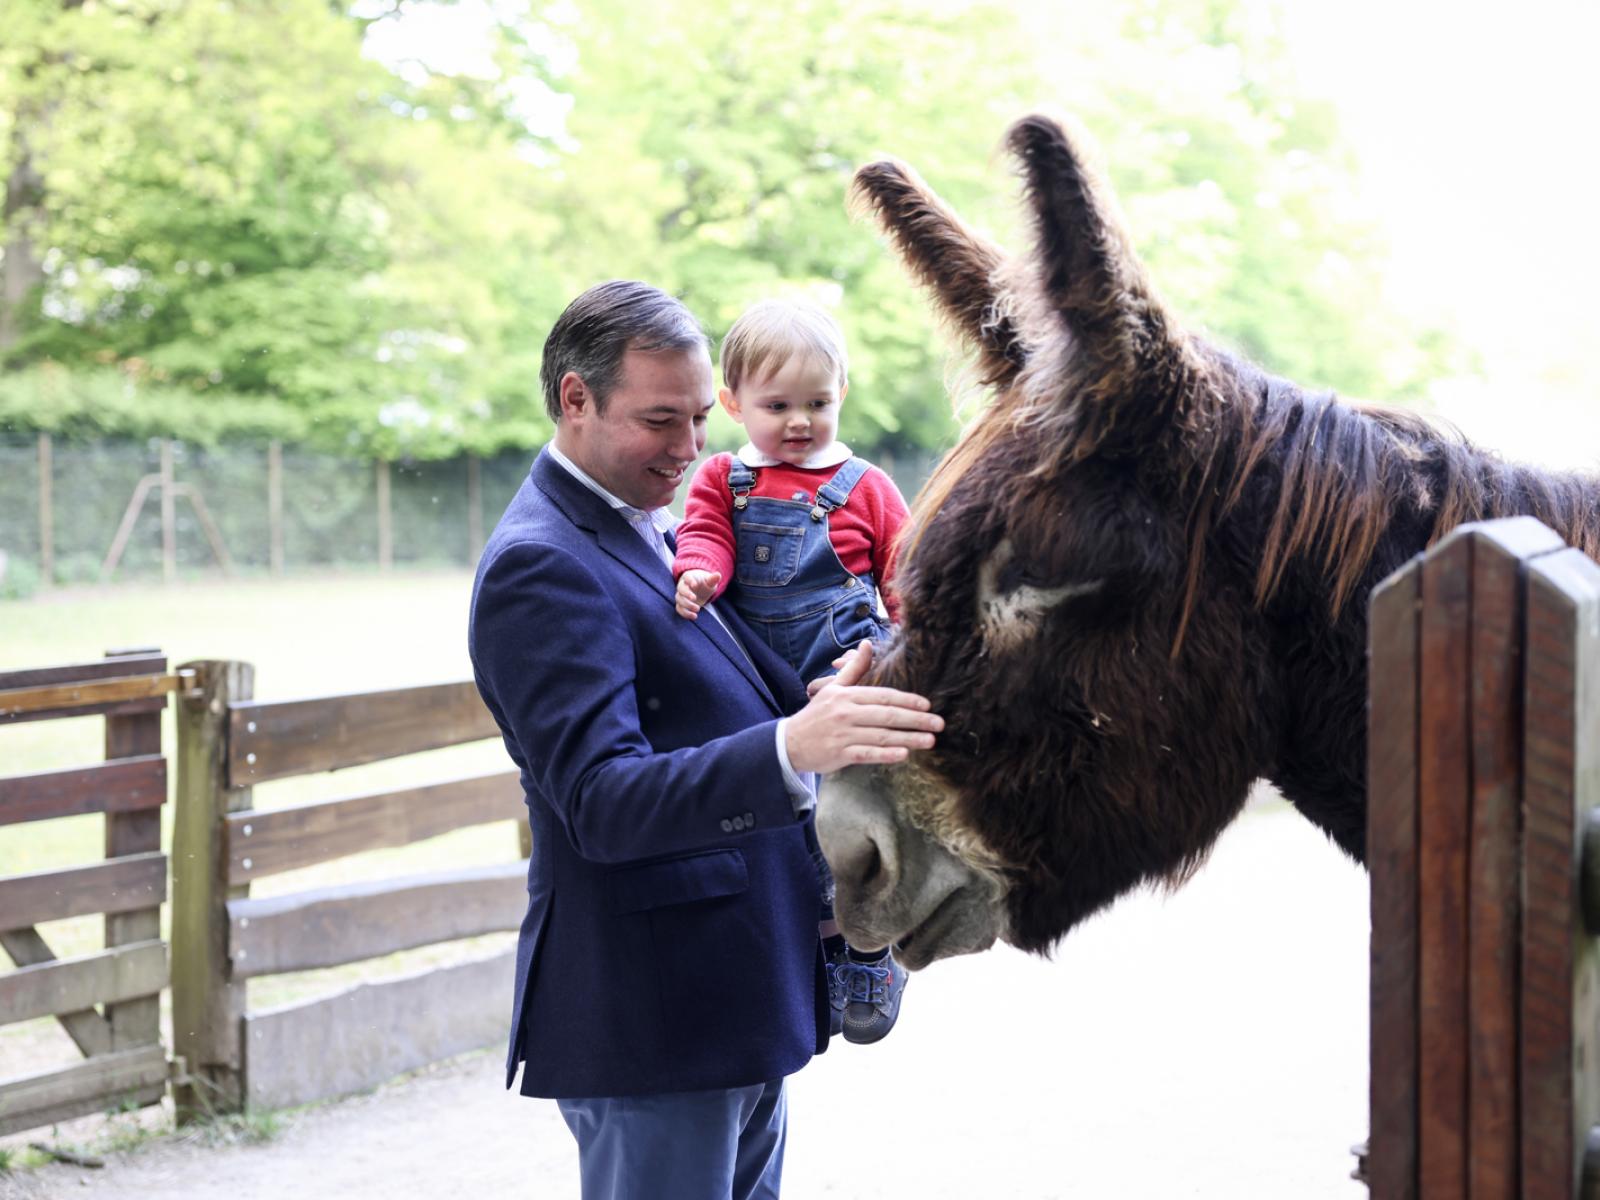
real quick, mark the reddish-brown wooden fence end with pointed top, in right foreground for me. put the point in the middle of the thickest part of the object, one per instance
(1484, 775)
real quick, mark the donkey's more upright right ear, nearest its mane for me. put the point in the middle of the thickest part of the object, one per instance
(1090, 281)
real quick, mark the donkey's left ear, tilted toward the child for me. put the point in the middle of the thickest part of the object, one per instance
(948, 258)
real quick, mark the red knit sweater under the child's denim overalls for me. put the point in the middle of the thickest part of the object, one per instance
(863, 532)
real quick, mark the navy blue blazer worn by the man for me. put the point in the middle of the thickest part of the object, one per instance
(671, 940)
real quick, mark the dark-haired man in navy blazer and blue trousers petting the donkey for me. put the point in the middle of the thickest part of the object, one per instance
(670, 972)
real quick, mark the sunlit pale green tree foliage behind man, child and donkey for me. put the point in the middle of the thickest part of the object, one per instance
(223, 218)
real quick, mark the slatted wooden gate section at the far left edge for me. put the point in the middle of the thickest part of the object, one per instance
(124, 1058)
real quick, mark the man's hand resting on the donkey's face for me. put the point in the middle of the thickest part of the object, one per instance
(849, 724)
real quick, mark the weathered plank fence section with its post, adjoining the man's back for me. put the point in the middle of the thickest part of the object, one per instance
(223, 937)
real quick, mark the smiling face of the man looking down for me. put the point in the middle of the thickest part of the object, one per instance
(652, 430)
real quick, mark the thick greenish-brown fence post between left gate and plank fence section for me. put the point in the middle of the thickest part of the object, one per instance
(207, 1002)
